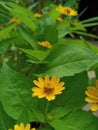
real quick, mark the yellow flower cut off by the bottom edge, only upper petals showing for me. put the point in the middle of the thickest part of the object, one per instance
(22, 127)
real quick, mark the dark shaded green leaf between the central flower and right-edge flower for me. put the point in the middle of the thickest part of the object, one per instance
(73, 97)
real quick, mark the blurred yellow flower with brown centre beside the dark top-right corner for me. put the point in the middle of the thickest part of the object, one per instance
(67, 11)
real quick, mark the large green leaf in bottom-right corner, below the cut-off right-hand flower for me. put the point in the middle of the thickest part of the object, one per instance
(78, 120)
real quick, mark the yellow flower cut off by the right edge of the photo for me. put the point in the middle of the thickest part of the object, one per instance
(92, 93)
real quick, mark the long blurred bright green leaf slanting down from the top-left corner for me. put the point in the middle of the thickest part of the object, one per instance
(25, 15)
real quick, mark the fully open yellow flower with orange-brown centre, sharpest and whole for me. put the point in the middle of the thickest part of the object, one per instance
(47, 87)
